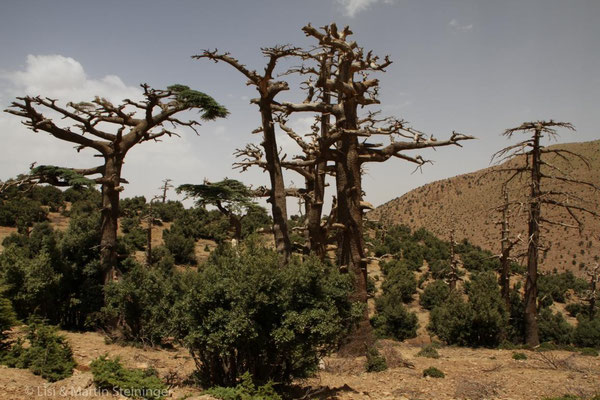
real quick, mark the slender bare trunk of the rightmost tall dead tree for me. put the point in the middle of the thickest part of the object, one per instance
(531, 326)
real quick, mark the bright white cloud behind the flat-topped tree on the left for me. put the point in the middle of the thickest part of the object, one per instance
(65, 79)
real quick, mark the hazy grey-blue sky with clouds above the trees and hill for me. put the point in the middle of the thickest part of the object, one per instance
(477, 67)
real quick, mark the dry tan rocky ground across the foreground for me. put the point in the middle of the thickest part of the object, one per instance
(470, 374)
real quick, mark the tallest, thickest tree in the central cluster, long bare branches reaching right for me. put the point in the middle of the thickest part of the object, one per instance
(347, 82)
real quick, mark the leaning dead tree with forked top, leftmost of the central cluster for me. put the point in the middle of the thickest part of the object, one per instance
(268, 88)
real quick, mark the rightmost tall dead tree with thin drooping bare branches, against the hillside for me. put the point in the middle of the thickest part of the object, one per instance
(536, 169)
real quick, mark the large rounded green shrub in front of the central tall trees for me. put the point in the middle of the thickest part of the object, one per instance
(244, 312)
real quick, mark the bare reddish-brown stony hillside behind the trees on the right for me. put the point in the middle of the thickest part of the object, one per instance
(467, 203)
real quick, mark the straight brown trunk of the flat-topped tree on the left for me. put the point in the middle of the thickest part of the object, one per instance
(109, 218)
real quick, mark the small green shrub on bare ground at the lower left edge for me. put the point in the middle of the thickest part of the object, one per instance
(48, 354)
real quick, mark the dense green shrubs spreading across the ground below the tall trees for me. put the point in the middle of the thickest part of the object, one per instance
(246, 321)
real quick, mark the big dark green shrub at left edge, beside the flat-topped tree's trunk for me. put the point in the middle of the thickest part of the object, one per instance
(55, 275)
